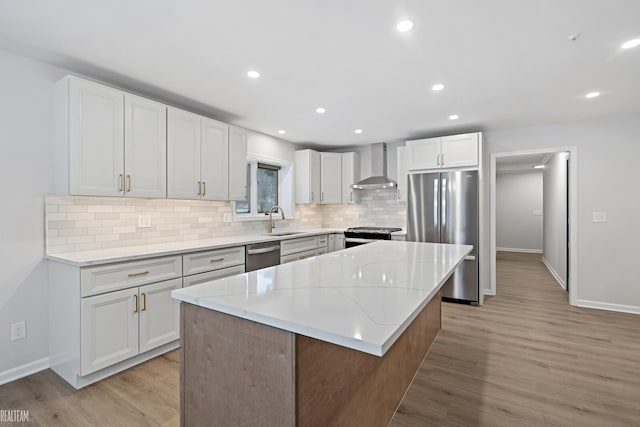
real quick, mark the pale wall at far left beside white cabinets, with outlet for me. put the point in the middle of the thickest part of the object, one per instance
(25, 173)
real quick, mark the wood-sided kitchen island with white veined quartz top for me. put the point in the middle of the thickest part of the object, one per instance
(330, 340)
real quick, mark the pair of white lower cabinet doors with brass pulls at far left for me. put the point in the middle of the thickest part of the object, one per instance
(119, 325)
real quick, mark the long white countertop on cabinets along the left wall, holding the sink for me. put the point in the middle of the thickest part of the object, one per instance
(106, 256)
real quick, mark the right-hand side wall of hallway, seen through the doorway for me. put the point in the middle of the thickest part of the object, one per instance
(555, 216)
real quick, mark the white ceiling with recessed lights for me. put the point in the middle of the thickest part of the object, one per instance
(504, 63)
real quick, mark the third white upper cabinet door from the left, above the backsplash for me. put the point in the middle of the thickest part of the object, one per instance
(183, 151)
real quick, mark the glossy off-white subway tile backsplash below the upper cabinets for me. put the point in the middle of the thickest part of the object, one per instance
(83, 223)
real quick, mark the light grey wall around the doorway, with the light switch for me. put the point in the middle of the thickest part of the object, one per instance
(608, 151)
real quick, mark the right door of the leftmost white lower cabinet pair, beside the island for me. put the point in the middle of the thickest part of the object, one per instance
(159, 314)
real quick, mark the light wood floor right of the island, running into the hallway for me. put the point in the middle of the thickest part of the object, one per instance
(528, 358)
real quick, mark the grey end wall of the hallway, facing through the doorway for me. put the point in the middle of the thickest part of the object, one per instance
(519, 211)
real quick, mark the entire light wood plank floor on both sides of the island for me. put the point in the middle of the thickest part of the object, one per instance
(524, 358)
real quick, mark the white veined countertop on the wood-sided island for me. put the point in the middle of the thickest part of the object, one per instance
(361, 298)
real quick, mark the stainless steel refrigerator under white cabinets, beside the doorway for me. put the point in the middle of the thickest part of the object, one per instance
(443, 208)
